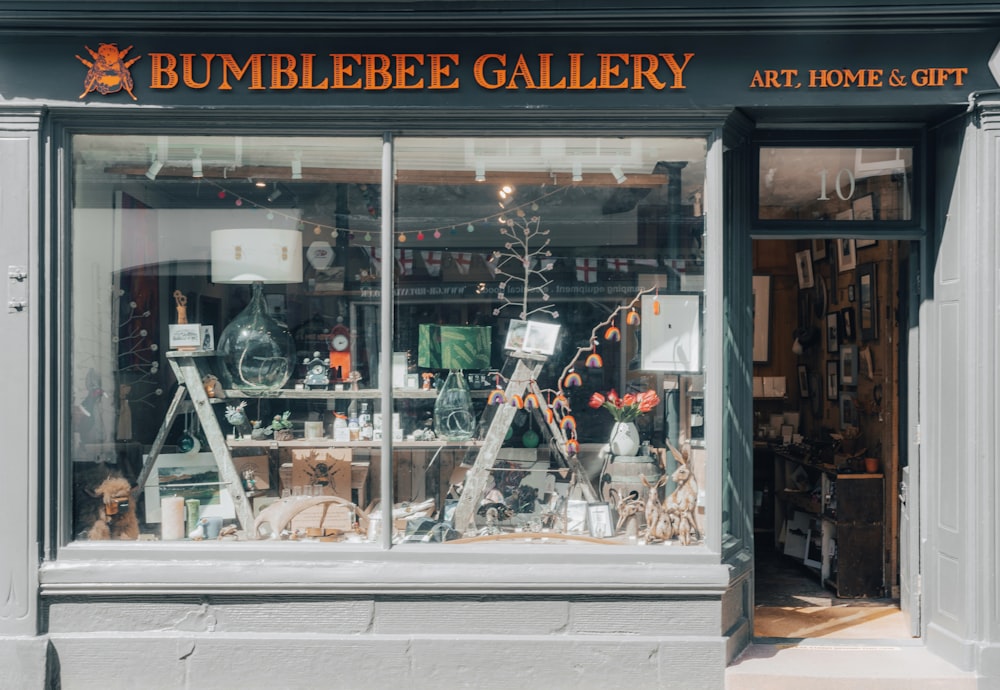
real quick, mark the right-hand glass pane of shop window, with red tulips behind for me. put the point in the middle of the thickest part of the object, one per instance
(538, 273)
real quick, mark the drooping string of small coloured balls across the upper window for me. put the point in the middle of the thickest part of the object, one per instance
(420, 234)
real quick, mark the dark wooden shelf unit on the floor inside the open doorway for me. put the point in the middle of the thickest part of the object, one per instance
(832, 521)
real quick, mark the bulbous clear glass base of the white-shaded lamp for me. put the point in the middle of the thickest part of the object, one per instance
(256, 351)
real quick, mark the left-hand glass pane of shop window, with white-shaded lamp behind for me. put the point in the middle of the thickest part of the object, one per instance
(184, 248)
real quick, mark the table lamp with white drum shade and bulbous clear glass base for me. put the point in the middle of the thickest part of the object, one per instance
(256, 352)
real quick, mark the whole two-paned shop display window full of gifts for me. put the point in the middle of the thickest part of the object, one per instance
(227, 314)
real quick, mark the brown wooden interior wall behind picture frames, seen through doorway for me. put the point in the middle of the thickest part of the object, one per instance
(869, 398)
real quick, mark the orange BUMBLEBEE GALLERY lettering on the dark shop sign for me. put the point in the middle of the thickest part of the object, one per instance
(417, 71)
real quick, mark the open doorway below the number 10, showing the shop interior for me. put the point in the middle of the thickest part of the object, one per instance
(829, 402)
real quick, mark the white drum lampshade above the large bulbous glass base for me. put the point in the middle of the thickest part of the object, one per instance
(251, 255)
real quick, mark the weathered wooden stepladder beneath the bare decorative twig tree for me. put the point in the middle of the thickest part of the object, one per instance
(521, 381)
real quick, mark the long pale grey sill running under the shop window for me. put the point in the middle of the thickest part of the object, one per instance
(160, 568)
